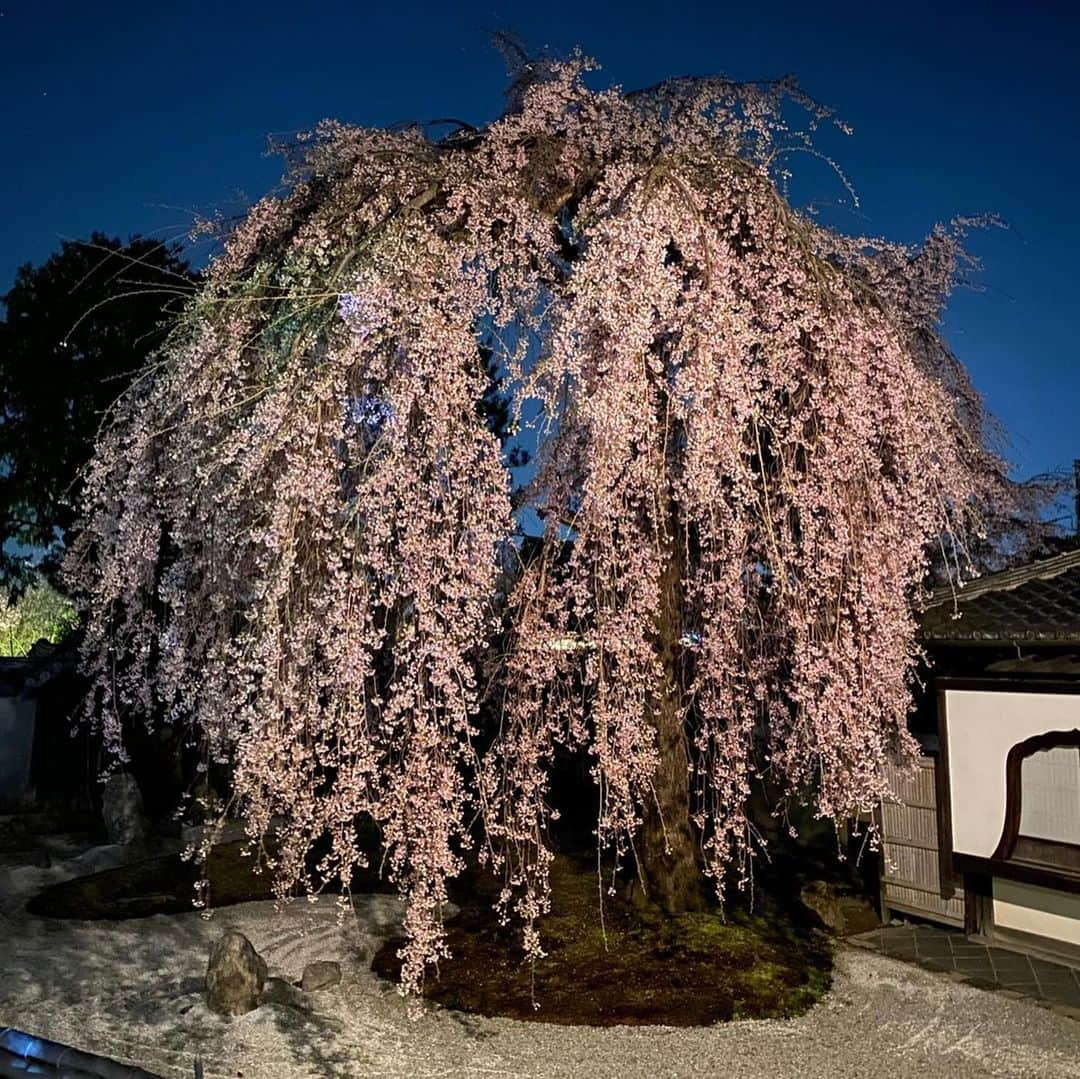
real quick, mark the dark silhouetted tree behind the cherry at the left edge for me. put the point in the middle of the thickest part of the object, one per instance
(76, 331)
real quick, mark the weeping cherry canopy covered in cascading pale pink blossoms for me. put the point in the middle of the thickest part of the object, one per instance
(749, 428)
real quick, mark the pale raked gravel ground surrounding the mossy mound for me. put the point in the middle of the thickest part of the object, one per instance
(133, 991)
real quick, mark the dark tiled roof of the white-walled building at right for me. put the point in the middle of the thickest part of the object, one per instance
(1039, 602)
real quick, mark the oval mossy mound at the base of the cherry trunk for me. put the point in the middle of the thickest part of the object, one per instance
(640, 968)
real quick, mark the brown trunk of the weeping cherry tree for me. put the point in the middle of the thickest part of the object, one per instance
(668, 852)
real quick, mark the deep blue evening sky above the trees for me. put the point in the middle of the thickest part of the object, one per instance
(130, 117)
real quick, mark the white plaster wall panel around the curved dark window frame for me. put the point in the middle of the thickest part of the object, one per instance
(982, 727)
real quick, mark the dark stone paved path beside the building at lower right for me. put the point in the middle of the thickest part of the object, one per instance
(1051, 984)
